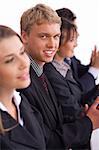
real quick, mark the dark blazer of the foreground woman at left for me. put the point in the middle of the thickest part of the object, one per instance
(28, 137)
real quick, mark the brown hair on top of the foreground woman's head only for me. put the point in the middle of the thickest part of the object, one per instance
(6, 32)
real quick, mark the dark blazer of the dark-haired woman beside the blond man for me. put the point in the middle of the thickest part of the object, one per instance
(67, 91)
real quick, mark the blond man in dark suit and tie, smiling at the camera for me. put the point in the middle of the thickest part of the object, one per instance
(40, 30)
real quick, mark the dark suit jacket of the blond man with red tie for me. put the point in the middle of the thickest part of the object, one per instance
(58, 135)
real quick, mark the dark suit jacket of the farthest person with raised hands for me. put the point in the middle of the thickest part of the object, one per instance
(85, 80)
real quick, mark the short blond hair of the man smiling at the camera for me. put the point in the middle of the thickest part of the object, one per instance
(38, 15)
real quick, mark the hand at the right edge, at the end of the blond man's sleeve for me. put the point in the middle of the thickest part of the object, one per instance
(93, 113)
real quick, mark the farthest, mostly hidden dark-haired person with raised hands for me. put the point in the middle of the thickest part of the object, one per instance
(86, 75)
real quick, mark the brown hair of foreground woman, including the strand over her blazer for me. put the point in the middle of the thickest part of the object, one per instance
(6, 32)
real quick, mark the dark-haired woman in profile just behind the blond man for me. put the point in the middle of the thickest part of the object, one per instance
(67, 89)
